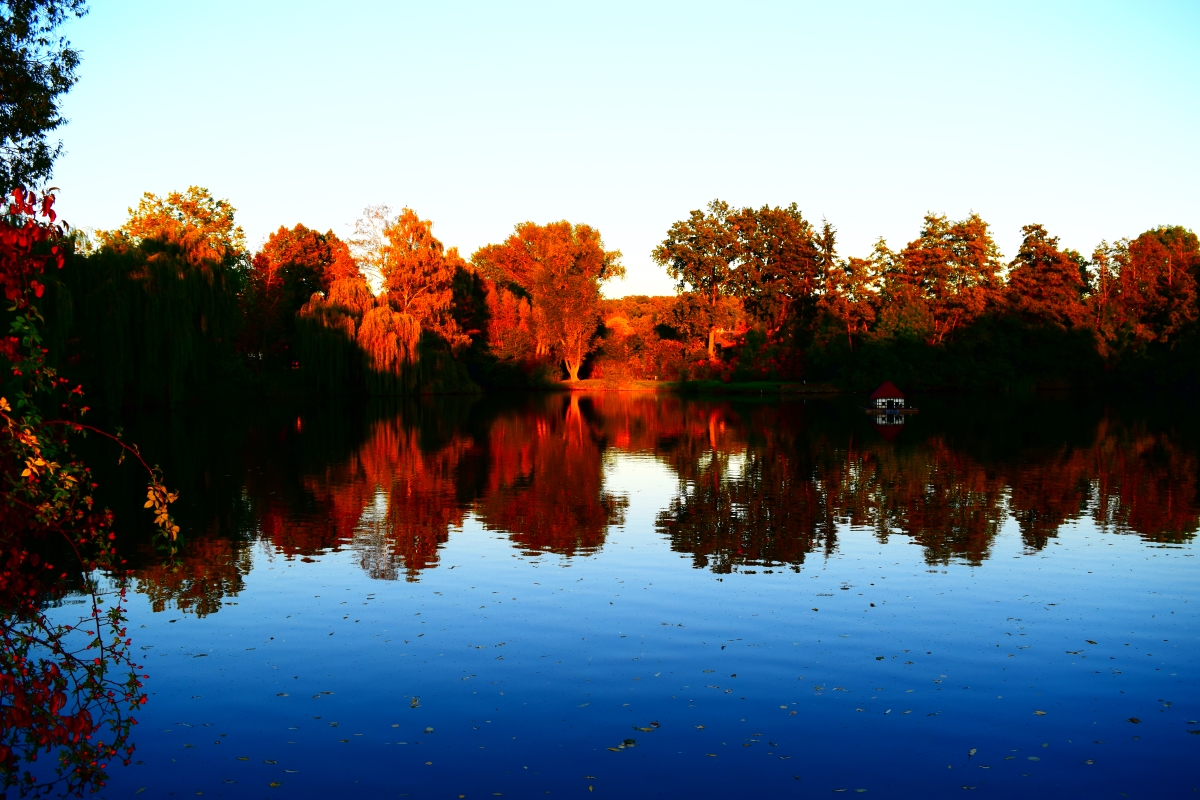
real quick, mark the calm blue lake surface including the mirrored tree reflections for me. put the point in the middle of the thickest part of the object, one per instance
(645, 597)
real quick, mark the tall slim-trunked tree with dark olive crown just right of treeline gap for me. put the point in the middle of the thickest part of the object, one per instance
(703, 254)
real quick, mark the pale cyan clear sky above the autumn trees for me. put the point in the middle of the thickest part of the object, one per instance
(1082, 117)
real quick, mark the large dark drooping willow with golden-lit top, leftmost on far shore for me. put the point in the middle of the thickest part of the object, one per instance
(152, 314)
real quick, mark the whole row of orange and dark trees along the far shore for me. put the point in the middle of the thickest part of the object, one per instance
(173, 302)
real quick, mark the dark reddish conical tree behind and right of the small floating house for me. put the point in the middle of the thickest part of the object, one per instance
(1046, 285)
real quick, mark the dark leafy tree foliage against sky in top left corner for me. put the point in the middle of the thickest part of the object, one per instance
(38, 67)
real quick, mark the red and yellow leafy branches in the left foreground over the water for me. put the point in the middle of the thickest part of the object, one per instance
(68, 682)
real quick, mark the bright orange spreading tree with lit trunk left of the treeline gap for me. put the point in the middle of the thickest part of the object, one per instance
(561, 268)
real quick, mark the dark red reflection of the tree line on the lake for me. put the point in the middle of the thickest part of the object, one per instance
(759, 485)
